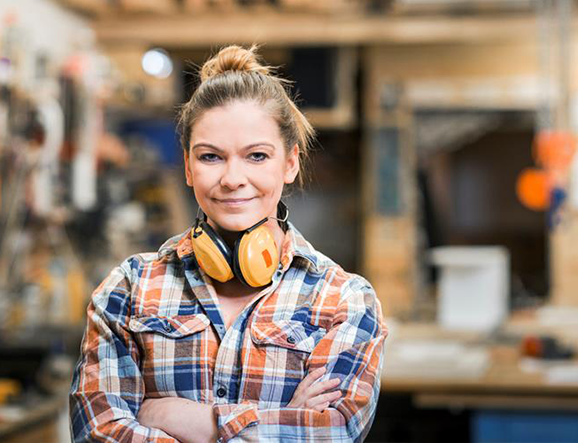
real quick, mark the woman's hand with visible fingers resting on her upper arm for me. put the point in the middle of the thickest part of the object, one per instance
(311, 395)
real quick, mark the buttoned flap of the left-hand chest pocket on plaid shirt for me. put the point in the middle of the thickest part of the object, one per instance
(175, 327)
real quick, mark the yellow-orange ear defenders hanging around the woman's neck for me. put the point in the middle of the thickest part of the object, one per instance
(255, 256)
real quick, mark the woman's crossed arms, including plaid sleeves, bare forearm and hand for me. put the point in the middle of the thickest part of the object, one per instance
(108, 400)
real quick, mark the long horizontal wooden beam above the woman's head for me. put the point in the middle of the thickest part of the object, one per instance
(210, 28)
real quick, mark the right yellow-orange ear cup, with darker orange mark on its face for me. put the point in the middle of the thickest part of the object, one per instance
(256, 257)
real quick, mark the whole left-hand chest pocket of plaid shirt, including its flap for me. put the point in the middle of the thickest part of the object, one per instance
(172, 350)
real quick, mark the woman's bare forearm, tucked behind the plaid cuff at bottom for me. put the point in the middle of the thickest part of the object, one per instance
(183, 419)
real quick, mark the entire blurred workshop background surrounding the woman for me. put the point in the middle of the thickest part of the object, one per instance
(444, 172)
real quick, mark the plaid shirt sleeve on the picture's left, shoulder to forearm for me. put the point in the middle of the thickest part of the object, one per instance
(107, 386)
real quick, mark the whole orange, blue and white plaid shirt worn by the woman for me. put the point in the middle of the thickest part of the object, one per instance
(154, 329)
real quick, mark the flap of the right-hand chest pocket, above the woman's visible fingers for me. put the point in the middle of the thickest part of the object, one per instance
(288, 334)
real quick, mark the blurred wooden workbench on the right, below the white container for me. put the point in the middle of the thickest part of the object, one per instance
(496, 377)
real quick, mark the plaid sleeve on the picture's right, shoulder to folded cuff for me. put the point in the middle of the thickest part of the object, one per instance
(351, 351)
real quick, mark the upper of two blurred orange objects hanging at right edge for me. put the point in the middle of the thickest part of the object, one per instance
(554, 150)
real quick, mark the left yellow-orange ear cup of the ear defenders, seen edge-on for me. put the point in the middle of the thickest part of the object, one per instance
(212, 253)
